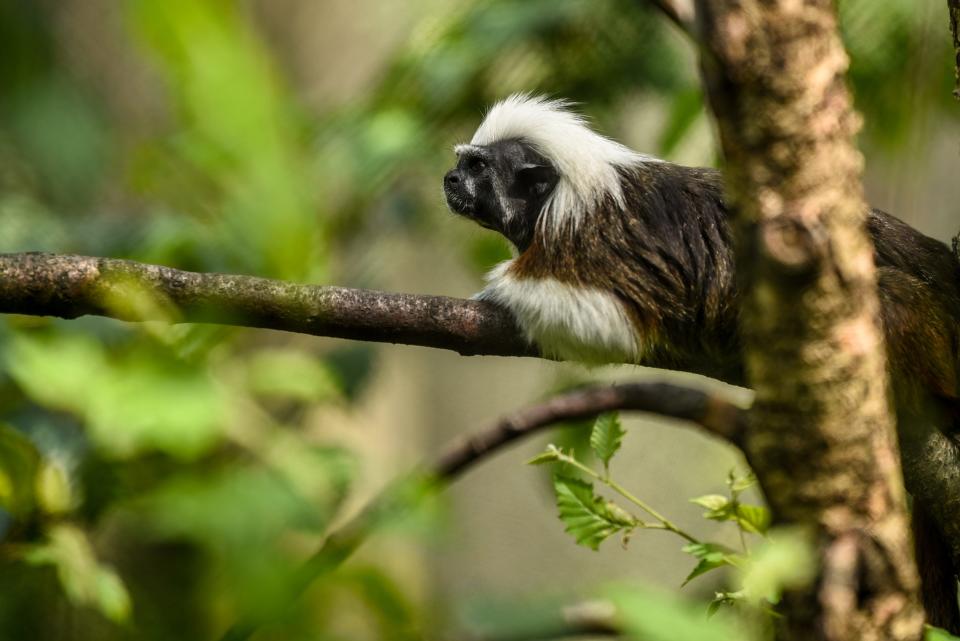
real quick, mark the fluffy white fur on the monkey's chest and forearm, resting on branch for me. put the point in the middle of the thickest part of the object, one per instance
(565, 321)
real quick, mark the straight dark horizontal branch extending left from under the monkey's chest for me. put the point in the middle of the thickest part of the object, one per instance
(69, 286)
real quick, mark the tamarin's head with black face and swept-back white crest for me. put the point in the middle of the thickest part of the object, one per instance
(534, 164)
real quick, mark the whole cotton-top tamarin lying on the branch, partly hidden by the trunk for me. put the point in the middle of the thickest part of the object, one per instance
(621, 257)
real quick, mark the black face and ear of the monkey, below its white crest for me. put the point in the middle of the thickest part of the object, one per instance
(502, 186)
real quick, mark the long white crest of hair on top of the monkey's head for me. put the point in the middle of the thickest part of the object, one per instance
(586, 161)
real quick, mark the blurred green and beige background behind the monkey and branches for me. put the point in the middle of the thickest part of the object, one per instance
(159, 481)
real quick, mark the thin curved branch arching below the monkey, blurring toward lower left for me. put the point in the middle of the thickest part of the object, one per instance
(711, 413)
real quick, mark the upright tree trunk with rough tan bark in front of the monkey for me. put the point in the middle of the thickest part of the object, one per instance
(821, 435)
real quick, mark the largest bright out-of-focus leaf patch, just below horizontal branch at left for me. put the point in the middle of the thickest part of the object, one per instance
(133, 401)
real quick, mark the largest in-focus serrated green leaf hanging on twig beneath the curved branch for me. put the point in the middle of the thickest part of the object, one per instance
(586, 515)
